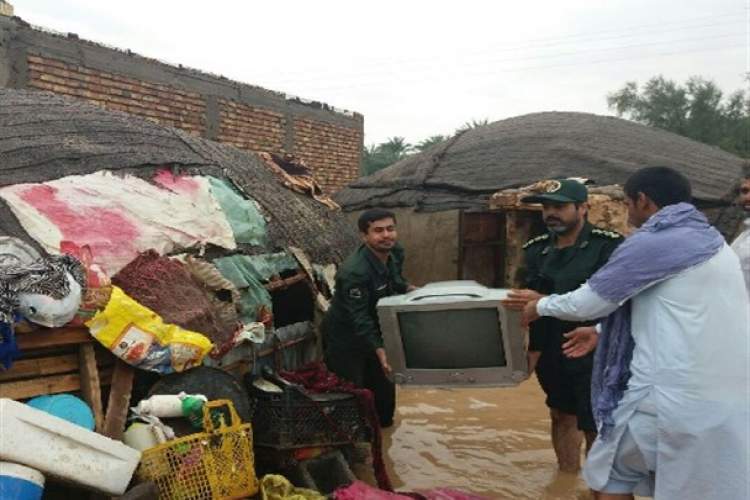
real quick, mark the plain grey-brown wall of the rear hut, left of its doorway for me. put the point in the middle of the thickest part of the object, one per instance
(430, 241)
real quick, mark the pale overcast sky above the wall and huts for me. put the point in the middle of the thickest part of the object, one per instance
(417, 68)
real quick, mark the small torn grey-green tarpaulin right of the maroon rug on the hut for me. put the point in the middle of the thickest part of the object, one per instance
(242, 272)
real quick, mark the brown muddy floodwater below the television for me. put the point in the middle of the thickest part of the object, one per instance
(491, 442)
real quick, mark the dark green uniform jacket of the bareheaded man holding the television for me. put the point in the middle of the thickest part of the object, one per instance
(351, 324)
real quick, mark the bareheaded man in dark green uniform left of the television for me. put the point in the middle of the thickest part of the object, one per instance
(353, 341)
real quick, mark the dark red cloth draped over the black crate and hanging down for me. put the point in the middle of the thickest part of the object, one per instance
(315, 377)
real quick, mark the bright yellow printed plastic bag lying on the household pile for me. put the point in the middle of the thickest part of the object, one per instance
(138, 336)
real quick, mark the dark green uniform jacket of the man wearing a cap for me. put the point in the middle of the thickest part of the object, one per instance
(560, 270)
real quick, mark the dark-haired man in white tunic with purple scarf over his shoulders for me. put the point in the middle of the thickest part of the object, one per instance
(670, 383)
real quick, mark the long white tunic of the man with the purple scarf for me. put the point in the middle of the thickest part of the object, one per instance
(692, 359)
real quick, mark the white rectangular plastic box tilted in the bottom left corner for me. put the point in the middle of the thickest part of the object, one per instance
(63, 450)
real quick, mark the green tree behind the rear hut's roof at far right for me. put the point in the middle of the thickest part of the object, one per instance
(696, 109)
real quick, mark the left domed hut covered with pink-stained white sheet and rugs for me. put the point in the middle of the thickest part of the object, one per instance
(72, 173)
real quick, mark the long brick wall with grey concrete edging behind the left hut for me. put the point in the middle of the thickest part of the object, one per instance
(249, 117)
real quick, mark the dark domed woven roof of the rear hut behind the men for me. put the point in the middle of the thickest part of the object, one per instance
(463, 171)
